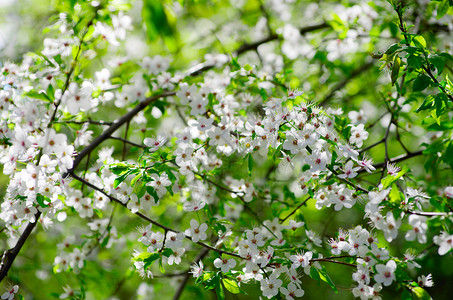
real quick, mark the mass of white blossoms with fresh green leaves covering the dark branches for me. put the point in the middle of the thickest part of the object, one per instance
(192, 166)
